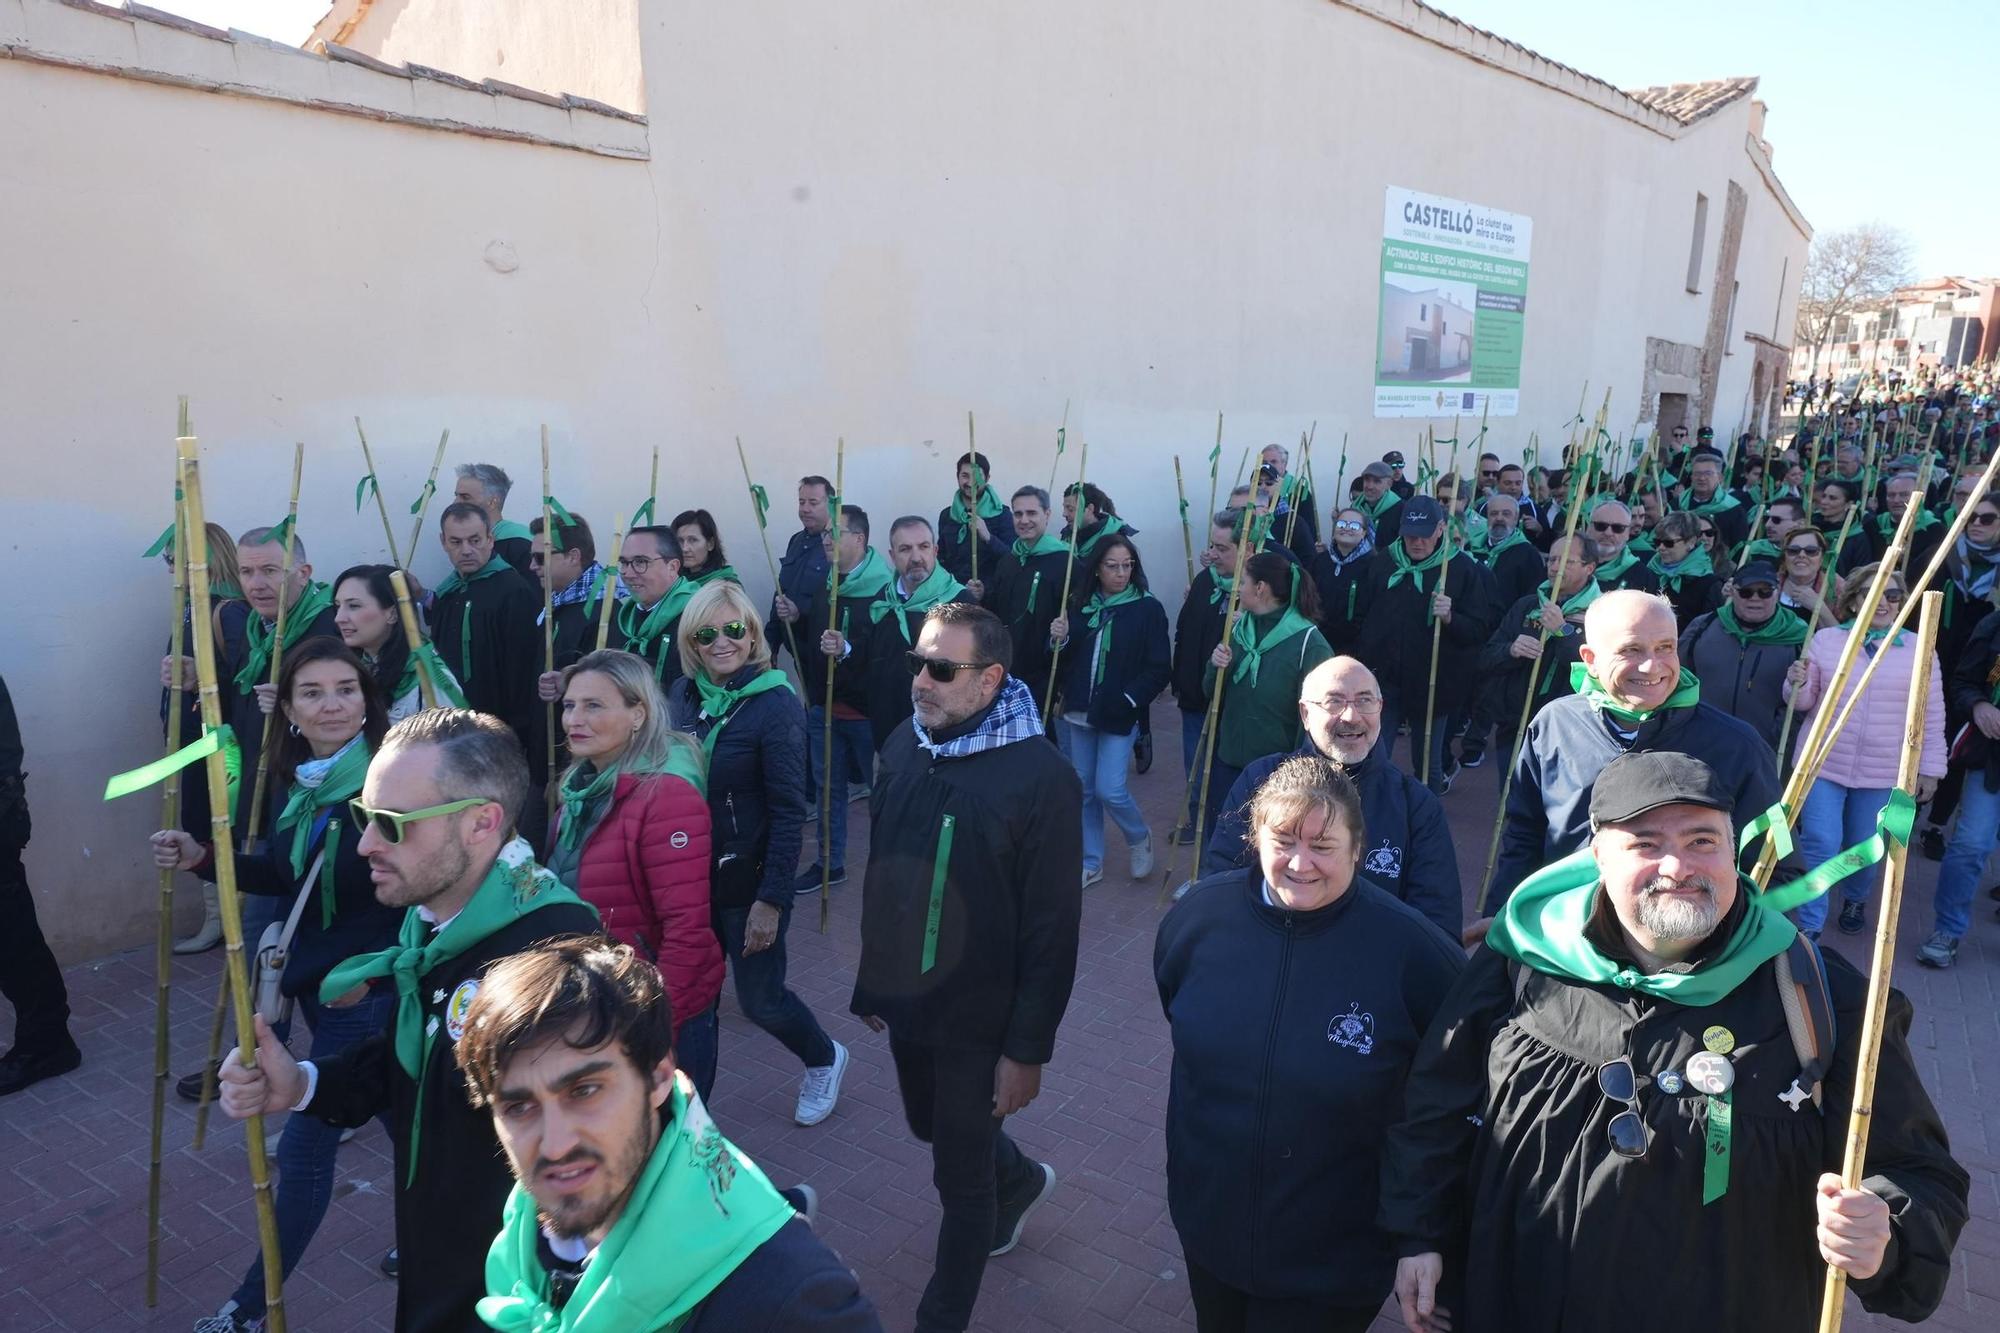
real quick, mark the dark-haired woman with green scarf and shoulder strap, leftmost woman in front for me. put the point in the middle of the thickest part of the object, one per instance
(333, 724)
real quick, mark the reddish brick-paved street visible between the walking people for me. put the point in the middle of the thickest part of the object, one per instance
(1099, 1258)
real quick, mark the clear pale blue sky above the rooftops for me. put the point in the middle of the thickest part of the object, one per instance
(1895, 93)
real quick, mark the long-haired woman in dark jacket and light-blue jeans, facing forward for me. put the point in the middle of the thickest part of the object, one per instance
(1115, 663)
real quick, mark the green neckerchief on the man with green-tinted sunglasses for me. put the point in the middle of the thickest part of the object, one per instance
(513, 888)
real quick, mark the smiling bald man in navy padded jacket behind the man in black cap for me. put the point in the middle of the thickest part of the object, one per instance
(1633, 696)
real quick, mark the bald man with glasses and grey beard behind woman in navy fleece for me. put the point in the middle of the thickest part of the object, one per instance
(1409, 846)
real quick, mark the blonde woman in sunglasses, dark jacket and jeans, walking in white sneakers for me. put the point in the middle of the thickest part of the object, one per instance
(761, 796)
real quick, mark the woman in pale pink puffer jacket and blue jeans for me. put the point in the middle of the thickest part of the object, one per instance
(1861, 766)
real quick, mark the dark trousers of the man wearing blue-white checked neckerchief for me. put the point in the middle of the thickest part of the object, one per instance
(949, 1100)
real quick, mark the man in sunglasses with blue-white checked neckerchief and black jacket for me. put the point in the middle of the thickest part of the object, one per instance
(969, 934)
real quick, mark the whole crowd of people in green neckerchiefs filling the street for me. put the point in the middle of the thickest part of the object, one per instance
(511, 884)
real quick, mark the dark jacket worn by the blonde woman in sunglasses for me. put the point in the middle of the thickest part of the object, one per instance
(759, 790)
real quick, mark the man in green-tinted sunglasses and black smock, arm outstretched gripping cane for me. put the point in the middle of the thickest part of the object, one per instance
(437, 818)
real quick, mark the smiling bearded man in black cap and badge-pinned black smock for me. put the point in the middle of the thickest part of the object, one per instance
(1615, 1078)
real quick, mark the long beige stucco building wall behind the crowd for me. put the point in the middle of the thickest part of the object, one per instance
(859, 221)
